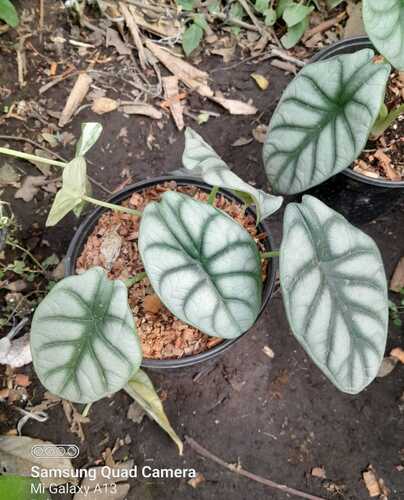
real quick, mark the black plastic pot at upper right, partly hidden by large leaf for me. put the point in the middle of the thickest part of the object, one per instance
(357, 197)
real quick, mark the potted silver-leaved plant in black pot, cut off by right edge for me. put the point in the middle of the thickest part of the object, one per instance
(339, 103)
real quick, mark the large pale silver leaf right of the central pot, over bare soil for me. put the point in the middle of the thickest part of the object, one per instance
(335, 293)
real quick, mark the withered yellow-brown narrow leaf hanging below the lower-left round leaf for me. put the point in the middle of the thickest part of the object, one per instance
(141, 389)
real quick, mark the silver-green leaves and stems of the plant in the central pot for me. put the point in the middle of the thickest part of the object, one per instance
(206, 268)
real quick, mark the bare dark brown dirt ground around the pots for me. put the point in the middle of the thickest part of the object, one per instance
(279, 417)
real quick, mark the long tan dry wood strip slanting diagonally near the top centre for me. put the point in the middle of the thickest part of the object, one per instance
(190, 75)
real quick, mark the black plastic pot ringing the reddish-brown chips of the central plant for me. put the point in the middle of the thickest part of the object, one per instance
(87, 226)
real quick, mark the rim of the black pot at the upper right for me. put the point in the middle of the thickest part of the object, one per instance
(358, 42)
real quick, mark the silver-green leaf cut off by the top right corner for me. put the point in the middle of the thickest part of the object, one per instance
(384, 23)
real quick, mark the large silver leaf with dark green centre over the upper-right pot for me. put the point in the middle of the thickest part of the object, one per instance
(323, 120)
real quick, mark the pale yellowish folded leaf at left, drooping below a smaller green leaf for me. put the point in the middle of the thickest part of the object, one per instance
(70, 196)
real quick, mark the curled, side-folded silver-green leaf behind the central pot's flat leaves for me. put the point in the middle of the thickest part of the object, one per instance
(200, 158)
